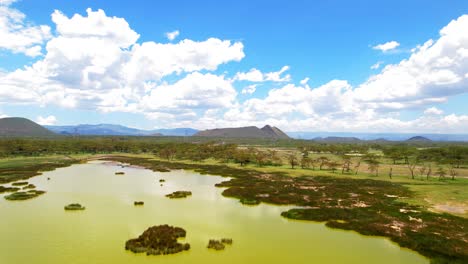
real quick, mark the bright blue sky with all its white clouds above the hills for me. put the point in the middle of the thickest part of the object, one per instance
(334, 66)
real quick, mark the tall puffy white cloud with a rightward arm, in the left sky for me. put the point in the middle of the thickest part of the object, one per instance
(94, 62)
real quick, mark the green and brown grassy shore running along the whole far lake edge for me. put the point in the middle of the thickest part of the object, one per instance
(411, 212)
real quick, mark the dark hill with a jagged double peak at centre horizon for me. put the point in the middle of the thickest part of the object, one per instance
(244, 132)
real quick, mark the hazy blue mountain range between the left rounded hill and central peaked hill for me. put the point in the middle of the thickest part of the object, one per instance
(118, 130)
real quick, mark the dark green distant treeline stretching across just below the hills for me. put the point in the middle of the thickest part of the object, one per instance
(200, 149)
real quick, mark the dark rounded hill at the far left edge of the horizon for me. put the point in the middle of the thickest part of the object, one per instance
(22, 127)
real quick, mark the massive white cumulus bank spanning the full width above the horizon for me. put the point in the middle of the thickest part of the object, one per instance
(96, 62)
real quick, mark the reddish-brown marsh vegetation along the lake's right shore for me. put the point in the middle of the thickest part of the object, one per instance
(363, 203)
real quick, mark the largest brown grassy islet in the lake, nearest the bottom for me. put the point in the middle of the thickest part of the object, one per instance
(158, 240)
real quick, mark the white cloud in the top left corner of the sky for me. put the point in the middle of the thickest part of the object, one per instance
(18, 36)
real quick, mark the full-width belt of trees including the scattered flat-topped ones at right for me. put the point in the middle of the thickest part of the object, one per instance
(442, 160)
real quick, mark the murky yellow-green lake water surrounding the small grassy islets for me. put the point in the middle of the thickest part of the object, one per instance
(40, 231)
